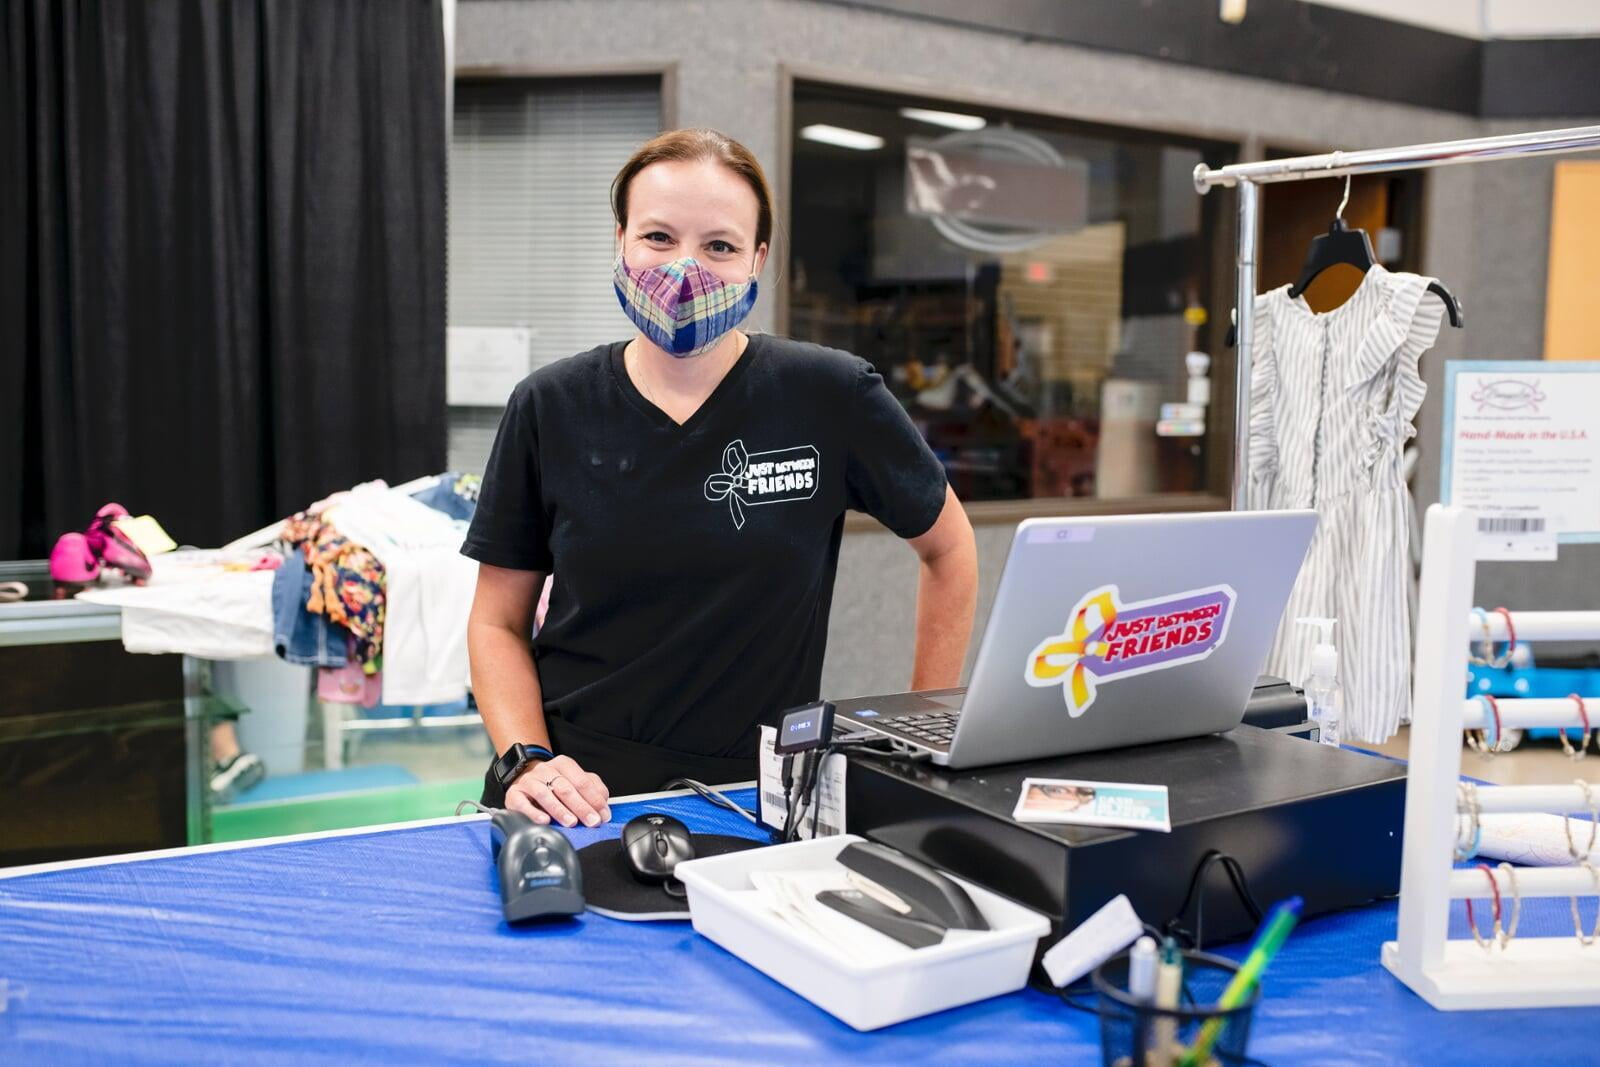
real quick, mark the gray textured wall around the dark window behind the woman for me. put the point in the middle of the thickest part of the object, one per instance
(1487, 228)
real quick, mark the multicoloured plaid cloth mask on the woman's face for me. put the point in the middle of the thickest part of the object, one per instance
(682, 306)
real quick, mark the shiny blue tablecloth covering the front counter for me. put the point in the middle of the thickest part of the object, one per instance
(390, 946)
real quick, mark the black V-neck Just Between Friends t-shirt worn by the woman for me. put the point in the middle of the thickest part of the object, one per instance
(695, 564)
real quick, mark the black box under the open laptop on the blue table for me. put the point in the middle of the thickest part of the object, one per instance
(1298, 817)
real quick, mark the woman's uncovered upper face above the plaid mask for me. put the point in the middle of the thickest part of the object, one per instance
(700, 210)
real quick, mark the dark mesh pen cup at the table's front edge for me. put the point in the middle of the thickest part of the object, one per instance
(1138, 1034)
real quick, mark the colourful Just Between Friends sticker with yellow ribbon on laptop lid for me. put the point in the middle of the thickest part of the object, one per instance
(1108, 641)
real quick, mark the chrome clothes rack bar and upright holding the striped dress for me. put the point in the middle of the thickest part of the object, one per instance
(1250, 177)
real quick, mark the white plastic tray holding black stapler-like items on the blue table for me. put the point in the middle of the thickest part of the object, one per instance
(966, 969)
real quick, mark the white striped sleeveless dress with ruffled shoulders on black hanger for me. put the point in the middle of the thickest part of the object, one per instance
(1330, 410)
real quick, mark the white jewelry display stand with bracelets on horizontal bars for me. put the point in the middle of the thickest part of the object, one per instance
(1460, 975)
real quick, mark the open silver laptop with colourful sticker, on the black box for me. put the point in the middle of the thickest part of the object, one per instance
(1108, 633)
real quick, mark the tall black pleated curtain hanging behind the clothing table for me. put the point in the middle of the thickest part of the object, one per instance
(222, 258)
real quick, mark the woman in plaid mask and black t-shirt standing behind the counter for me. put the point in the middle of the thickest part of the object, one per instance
(687, 489)
